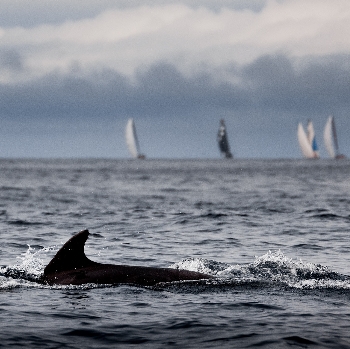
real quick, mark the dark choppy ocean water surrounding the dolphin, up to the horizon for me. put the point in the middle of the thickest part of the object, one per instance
(274, 233)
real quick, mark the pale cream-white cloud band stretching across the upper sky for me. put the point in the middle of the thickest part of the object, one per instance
(190, 38)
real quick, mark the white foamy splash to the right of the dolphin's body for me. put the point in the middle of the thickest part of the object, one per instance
(272, 268)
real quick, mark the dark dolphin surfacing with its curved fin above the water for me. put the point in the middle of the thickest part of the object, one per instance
(70, 266)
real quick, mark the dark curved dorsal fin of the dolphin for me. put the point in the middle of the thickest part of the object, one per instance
(71, 256)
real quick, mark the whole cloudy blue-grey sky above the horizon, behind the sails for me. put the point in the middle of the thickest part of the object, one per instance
(72, 72)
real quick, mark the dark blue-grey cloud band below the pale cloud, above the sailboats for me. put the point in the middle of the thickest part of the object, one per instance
(269, 83)
